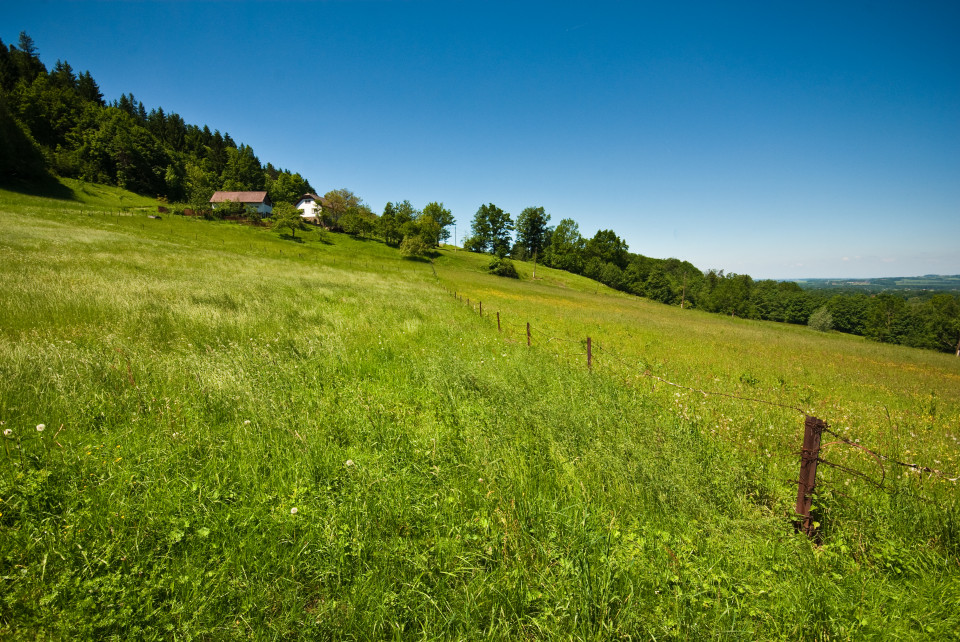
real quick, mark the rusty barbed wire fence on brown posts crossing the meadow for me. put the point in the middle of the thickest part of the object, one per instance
(811, 452)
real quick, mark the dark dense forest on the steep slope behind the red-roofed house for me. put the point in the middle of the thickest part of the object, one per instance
(57, 121)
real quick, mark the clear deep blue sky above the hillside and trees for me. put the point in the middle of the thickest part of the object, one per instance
(781, 140)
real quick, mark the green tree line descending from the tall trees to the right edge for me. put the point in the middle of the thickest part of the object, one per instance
(921, 319)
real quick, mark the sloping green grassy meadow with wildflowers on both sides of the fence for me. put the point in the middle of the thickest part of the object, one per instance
(247, 436)
